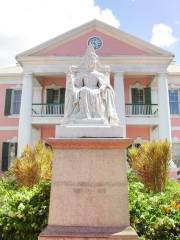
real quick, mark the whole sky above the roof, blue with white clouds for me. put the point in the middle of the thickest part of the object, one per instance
(27, 23)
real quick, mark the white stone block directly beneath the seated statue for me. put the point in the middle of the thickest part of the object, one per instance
(80, 131)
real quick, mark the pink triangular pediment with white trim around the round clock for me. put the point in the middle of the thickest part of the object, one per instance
(115, 43)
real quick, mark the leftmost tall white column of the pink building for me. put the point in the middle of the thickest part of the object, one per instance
(24, 133)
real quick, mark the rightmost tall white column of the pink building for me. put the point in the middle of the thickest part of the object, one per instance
(164, 112)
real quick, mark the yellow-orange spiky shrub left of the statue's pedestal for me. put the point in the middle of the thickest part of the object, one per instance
(34, 165)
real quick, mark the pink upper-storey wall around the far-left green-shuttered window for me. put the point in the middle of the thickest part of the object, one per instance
(6, 120)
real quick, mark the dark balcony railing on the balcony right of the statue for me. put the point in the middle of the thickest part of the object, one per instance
(141, 109)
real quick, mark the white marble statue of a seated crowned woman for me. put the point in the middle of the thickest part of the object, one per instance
(89, 96)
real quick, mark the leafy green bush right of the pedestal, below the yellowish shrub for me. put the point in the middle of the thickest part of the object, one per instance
(154, 216)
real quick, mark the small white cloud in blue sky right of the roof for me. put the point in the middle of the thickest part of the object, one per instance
(162, 35)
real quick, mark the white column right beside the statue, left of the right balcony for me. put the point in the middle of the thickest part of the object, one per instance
(120, 98)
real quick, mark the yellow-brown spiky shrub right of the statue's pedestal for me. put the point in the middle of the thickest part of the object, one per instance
(151, 163)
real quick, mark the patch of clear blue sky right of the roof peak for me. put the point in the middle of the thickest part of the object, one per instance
(139, 16)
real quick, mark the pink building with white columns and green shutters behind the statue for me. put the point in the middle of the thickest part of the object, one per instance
(146, 84)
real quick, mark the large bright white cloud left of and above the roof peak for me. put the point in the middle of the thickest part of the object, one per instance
(26, 23)
